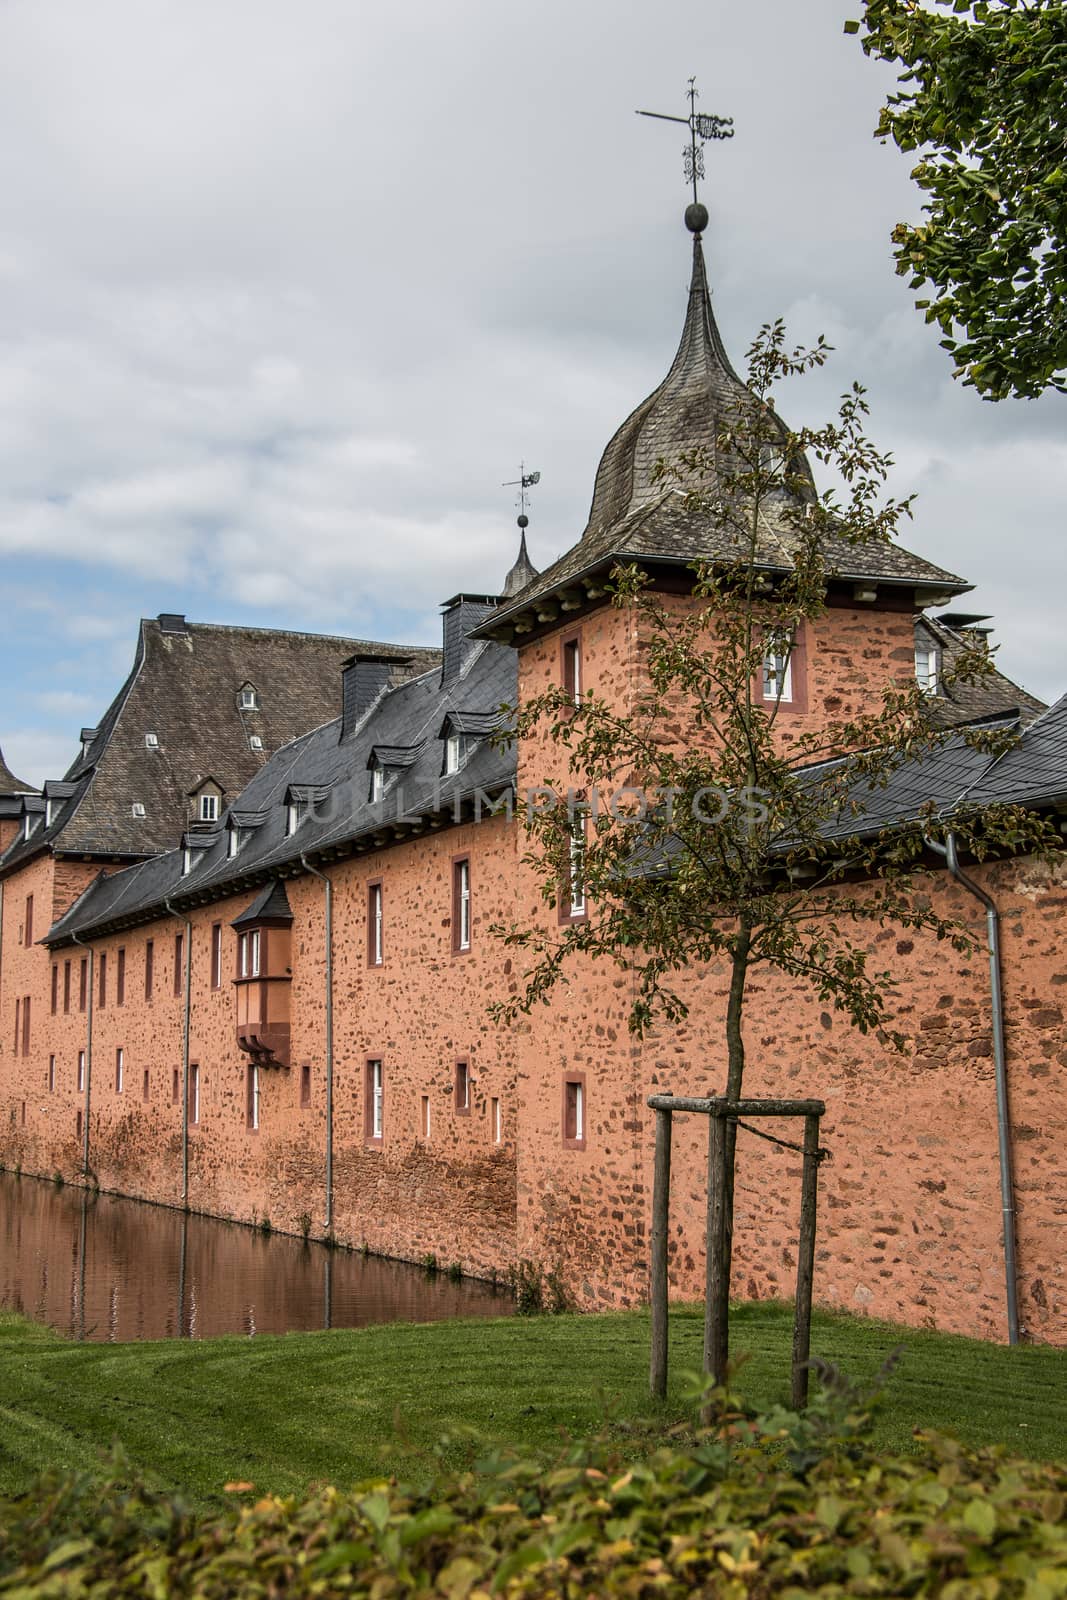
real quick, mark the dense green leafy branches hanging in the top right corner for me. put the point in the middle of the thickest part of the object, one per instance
(981, 98)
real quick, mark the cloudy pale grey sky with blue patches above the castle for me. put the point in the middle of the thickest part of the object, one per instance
(289, 292)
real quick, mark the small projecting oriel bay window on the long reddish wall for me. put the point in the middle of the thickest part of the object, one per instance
(265, 978)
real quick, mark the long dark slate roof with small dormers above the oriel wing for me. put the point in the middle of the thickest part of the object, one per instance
(409, 718)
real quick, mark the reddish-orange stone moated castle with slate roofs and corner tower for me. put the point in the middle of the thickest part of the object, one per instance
(279, 1006)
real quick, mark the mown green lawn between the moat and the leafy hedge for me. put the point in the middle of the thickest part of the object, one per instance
(300, 1409)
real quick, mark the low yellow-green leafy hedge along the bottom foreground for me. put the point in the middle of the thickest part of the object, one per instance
(745, 1510)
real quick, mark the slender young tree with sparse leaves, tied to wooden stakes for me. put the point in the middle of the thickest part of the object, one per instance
(693, 830)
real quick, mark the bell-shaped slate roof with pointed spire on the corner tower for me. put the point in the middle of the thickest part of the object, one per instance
(637, 519)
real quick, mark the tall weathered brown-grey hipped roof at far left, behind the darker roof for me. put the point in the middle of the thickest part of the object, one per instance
(185, 689)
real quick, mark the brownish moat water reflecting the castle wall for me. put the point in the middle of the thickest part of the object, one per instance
(100, 1268)
